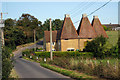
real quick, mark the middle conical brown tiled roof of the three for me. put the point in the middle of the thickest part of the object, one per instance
(85, 30)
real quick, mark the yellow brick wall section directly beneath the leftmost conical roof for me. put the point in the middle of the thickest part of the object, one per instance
(70, 43)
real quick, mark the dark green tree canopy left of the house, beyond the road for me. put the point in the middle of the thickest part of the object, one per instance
(20, 31)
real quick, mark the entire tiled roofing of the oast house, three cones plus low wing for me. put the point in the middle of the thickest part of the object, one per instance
(85, 30)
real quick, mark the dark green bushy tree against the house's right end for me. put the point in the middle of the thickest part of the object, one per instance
(96, 46)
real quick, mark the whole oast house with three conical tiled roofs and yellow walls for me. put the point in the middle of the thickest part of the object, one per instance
(70, 39)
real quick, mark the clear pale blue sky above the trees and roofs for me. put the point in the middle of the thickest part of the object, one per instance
(57, 10)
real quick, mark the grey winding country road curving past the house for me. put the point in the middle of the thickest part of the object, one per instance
(28, 69)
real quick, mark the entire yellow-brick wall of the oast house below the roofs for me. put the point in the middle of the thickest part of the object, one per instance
(63, 45)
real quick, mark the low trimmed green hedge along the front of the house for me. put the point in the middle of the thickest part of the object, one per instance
(64, 54)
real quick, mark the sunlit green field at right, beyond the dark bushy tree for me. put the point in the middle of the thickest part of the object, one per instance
(113, 37)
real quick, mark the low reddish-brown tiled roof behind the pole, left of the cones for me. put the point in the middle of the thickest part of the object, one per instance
(47, 36)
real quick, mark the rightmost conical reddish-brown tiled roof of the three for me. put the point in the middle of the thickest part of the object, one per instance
(98, 27)
